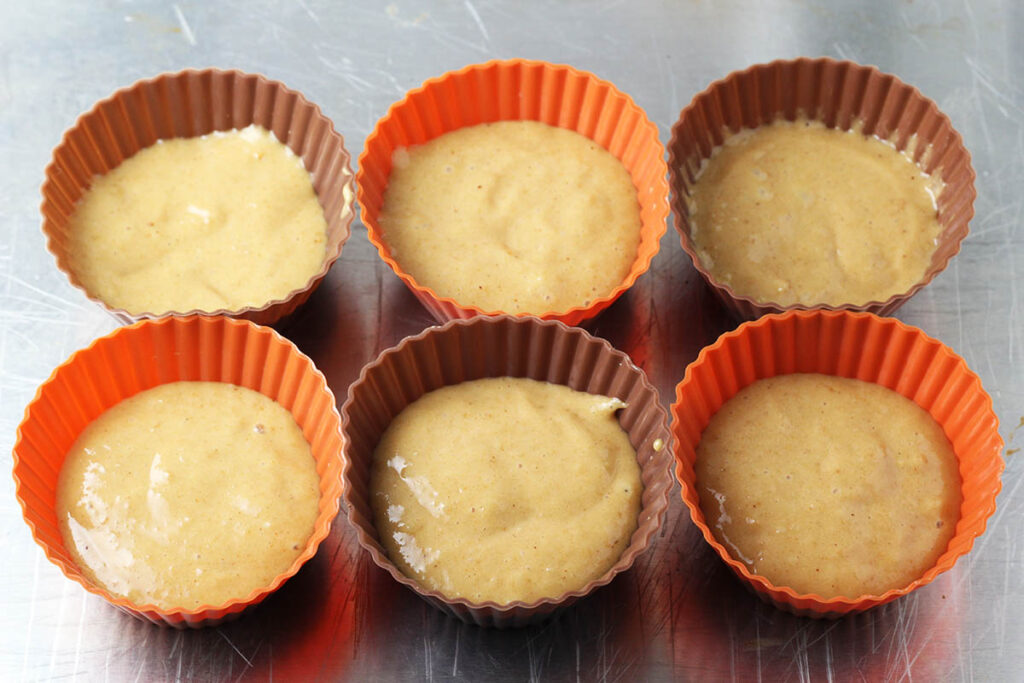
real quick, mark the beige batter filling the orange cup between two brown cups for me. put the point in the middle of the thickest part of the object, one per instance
(516, 217)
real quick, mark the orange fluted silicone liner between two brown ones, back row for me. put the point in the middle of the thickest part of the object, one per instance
(520, 91)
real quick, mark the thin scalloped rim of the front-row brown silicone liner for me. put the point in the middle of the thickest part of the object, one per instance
(660, 505)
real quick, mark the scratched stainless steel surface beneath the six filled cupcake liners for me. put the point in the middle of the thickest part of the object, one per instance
(679, 613)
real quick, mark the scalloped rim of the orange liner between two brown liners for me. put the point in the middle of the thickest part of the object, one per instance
(585, 312)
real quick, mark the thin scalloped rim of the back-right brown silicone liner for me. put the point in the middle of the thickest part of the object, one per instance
(766, 308)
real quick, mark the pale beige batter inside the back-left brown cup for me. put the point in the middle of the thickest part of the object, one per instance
(227, 221)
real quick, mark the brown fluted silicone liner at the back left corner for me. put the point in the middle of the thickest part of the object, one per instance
(191, 104)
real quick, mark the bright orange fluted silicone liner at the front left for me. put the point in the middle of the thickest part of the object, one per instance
(154, 353)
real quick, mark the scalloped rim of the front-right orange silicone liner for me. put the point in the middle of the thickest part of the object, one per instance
(840, 606)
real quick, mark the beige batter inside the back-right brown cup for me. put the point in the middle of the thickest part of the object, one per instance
(795, 212)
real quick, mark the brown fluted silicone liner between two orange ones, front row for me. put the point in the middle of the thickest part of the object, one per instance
(501, 347)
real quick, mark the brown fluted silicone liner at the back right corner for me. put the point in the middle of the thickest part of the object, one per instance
(841, 95)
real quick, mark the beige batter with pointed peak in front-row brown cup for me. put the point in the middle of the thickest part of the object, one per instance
(506, 490)
